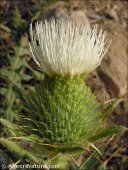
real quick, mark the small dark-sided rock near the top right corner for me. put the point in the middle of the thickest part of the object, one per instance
(112, 14)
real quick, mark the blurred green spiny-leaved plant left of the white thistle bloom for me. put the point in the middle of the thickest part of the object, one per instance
(13, 74)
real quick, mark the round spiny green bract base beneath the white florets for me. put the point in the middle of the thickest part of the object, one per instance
(63, 111)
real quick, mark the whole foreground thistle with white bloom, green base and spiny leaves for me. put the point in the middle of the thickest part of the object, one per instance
(61, 117)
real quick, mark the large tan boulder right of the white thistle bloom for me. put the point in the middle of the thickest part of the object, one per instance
(113, 70)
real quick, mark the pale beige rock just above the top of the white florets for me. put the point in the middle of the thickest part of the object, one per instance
(80, 17)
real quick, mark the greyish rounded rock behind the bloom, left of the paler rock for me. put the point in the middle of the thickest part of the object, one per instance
(56, 13)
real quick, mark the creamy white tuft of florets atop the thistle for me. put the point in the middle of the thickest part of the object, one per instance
(64, 48)
